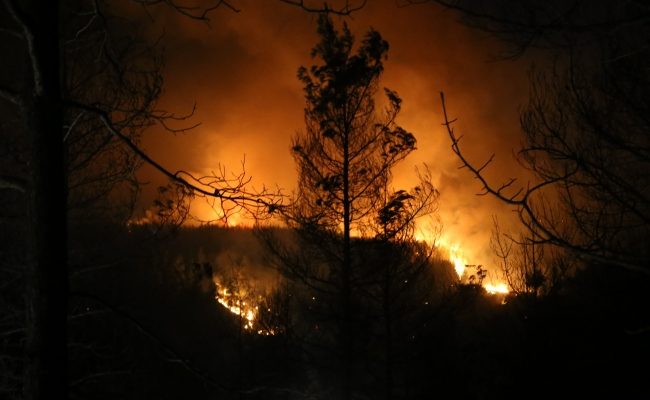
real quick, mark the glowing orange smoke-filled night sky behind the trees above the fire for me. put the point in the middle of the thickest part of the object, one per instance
(241, 73)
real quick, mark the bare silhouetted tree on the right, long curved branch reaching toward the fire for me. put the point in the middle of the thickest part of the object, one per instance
(585, 126)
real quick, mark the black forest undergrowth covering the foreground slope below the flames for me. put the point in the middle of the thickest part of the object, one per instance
(585, 338)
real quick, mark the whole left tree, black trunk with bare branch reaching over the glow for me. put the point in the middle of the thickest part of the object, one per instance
(79, 107)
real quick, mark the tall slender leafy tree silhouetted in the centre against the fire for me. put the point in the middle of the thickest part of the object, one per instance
(344, 159)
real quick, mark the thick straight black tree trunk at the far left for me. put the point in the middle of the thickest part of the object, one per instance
(45, 374)
